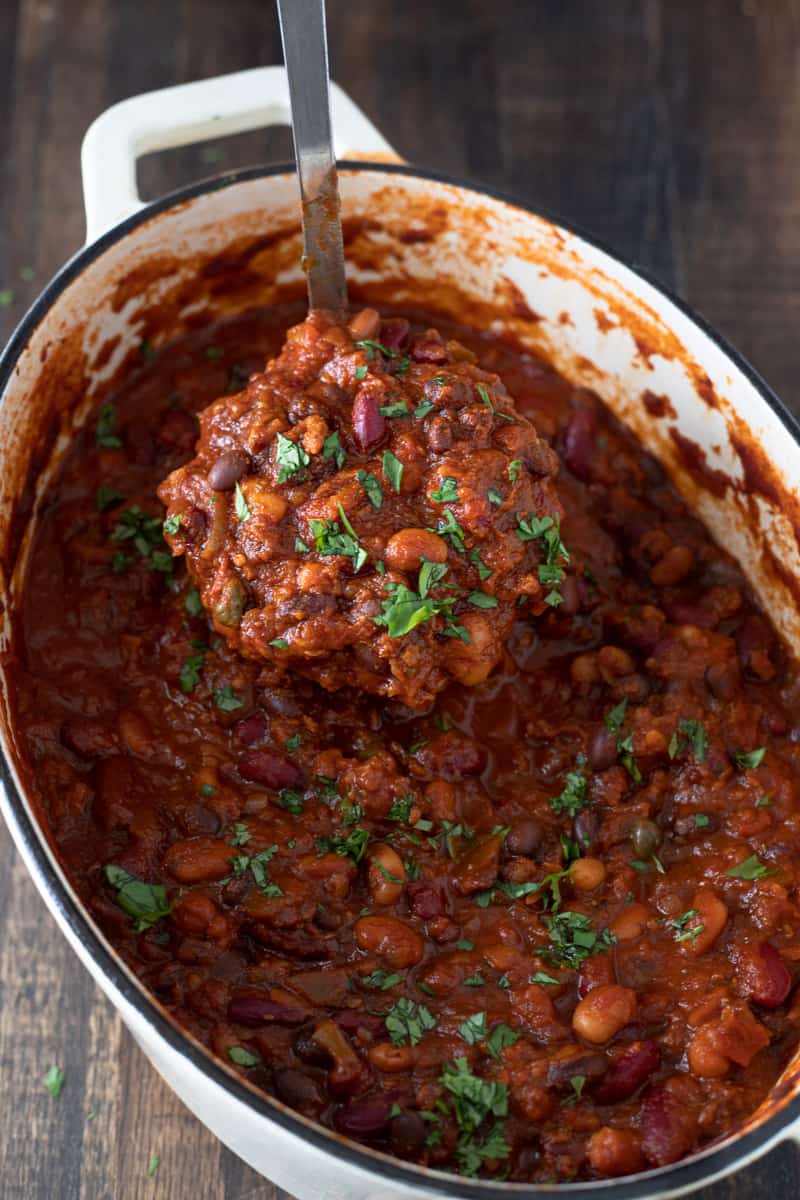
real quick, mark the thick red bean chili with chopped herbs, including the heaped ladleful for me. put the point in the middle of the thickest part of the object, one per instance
(544, 929)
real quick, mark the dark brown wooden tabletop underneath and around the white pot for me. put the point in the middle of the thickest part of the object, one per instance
(671, 129)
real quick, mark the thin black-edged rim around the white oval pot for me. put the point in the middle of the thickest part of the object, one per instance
(684, 1177)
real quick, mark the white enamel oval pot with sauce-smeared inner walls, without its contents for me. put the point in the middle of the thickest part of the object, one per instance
(413, 239)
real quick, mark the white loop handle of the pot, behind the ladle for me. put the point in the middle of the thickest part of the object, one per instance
(199, 112)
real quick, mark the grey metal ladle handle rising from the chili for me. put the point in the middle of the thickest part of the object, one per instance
(305, 52)
